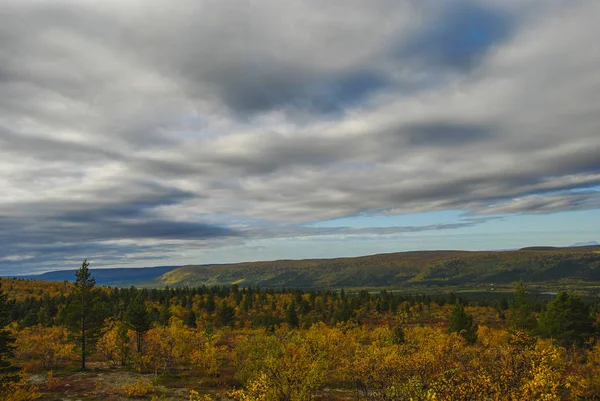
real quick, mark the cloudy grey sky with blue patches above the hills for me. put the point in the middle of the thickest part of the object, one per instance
(142, 133)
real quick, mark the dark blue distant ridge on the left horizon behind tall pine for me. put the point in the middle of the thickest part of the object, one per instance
(117, 277)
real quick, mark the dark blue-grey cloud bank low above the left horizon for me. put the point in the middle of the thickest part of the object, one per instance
(113, 213)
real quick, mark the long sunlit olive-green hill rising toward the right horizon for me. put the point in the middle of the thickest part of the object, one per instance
(404, 269)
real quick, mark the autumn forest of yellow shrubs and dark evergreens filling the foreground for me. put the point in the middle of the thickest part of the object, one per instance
(83, 341)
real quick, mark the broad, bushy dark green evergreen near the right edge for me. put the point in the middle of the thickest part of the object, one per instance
(567, 319)
